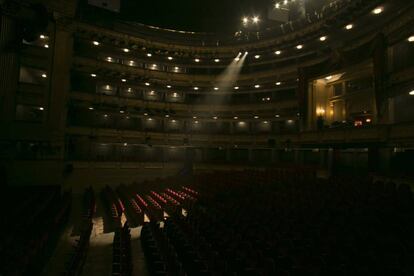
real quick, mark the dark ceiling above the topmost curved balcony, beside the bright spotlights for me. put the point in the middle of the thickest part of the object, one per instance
(193, 15)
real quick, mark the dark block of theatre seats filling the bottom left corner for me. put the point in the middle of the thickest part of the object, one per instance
(32, 219)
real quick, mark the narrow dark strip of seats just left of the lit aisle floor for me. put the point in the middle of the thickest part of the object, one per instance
(76, 260)
